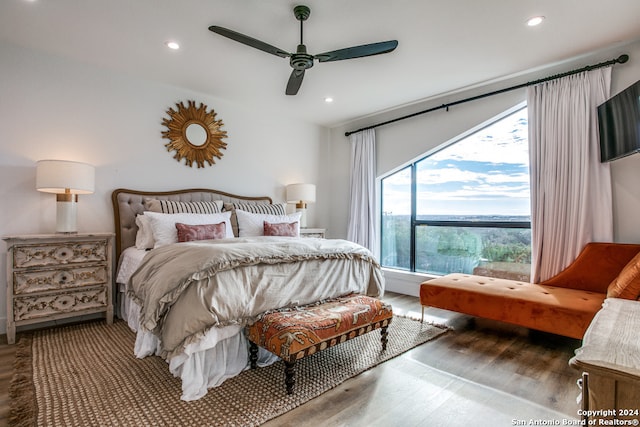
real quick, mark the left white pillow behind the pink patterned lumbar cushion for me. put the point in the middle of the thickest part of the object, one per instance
(164, 225)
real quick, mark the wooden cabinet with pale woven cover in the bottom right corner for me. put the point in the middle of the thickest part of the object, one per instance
(610, 362)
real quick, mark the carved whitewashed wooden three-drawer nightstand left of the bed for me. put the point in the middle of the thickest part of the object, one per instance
(55, 276)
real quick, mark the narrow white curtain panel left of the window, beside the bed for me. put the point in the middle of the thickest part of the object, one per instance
(361, 227)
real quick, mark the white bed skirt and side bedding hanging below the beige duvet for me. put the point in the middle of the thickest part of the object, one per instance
(221, 354)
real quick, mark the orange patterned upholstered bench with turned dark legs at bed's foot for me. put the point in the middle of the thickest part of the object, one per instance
(294, 333)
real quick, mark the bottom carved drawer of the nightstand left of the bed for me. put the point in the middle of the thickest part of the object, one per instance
(34, 307)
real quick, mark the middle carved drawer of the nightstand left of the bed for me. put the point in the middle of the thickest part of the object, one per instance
(29, 281)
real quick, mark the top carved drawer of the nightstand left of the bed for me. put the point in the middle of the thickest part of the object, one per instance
(56, 253)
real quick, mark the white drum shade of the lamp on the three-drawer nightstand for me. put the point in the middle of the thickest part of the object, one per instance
(56, 176)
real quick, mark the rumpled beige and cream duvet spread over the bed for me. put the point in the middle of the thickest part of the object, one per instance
(184, 289)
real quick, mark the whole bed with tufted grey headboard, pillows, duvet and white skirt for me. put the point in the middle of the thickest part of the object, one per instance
(237, 257)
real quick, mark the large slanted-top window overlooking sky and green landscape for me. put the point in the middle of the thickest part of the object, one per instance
(464, 207)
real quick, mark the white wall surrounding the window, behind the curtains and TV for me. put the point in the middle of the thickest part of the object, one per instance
(403, 141)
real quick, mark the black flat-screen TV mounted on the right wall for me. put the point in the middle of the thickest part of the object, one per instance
(619, 121)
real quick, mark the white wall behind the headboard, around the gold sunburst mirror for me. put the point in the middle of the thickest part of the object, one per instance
(52, 108)
